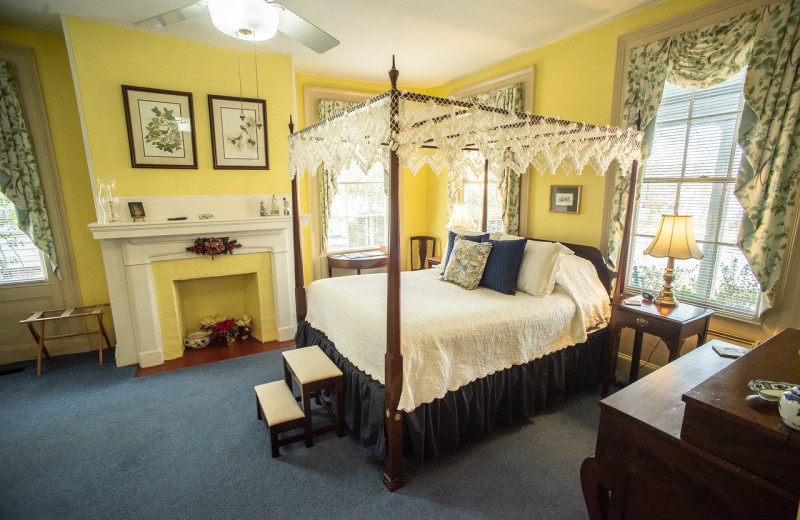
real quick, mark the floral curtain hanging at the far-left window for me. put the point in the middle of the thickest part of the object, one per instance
(19, 175)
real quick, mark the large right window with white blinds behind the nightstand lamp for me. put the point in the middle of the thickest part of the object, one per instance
(692, 171)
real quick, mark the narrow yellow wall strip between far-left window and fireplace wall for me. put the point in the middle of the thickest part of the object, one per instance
(55, 80)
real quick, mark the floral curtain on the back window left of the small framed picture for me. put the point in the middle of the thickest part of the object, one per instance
(511, 97)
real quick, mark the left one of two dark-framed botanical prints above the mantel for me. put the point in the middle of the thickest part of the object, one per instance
(160, 127)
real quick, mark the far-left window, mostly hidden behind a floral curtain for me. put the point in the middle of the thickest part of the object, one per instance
(20, 260)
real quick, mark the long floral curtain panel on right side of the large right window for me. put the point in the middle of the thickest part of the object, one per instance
(770, 138)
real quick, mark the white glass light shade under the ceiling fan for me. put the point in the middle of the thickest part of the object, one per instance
(251, 20)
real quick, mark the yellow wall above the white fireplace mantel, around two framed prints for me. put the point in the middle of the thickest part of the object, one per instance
(106, 57)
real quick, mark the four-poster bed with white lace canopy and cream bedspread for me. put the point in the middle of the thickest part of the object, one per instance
(424, 395)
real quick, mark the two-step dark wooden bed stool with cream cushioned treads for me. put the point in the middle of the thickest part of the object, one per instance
(313, 372)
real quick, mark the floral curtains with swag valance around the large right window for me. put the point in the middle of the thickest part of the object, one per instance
(763, 40)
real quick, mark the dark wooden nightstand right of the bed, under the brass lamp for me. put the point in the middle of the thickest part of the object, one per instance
(672, 324)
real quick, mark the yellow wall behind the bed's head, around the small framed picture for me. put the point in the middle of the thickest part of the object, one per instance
(574, 79)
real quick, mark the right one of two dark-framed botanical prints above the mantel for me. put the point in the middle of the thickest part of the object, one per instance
(238, 133)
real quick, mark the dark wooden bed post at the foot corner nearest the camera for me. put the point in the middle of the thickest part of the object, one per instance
(393, 418)
